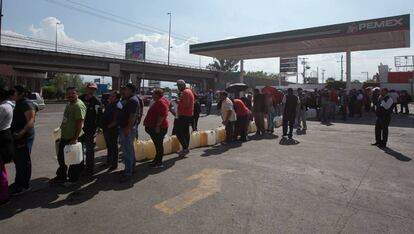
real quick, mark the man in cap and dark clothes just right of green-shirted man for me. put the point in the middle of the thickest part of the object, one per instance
(93, 113)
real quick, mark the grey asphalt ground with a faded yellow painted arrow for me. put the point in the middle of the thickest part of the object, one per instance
(332, 181)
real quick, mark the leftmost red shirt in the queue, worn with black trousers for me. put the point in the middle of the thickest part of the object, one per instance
(158, 109)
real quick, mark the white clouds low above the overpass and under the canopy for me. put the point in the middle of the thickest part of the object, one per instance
(157, 49)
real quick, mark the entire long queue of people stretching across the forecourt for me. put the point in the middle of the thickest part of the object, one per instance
(120, 117)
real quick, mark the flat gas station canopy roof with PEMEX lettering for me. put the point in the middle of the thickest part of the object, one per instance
(382, 33)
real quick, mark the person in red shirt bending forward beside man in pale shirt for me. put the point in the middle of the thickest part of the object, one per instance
(243, 116)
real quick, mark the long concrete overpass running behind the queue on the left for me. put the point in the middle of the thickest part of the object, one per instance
(32, 60)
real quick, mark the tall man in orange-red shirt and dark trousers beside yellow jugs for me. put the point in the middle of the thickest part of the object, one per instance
(185, 111)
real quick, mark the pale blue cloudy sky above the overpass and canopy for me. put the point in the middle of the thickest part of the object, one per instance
(200, 21)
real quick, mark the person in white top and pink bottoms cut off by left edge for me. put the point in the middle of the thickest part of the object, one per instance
(6, 145)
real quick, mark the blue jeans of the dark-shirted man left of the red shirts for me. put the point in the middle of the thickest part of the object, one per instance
(127, 144)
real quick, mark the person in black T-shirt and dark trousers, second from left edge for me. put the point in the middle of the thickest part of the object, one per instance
(22, 128)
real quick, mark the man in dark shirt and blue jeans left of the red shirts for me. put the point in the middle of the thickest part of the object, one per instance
(128, 123)
